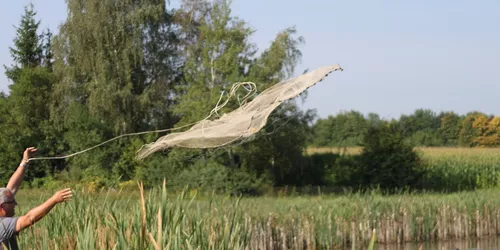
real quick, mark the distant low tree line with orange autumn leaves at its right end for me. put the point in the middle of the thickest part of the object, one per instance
(422, 128)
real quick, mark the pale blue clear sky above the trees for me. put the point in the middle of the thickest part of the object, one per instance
(397, 56)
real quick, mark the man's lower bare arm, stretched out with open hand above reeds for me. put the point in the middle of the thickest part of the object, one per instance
(39, 212)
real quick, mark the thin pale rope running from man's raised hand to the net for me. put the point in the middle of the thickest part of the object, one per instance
(251, 90)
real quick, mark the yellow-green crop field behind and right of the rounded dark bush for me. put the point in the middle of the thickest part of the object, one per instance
(440, 169)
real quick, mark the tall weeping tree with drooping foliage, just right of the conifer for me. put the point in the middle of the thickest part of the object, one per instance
(118, 66)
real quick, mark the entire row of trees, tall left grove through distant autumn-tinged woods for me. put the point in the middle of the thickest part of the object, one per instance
(116, 67)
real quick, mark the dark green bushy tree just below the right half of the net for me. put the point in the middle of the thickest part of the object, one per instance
(277, 151)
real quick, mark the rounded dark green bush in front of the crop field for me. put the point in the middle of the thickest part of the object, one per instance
(386, 161)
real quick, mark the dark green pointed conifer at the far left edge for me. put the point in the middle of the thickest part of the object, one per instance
(25, 110)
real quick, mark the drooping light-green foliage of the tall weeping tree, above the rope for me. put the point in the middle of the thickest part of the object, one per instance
(103, 54)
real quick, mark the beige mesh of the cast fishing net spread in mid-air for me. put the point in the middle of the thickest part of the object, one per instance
(241, 123)
